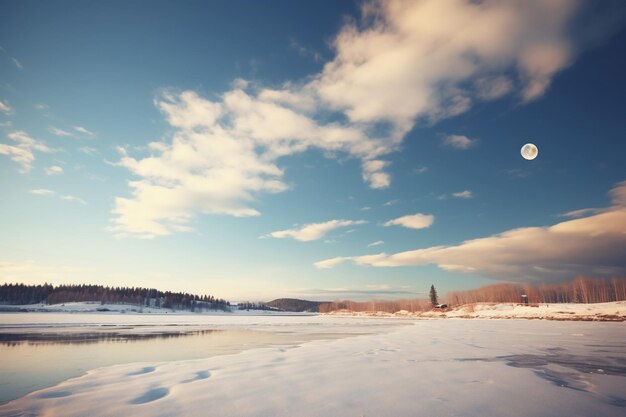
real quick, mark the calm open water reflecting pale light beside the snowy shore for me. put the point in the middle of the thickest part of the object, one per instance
(41, 358)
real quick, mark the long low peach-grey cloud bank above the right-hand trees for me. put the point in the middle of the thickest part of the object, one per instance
(589, 246)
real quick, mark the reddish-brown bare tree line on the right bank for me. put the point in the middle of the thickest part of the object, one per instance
(580, 290)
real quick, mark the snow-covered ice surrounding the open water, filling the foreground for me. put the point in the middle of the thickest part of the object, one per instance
(402, 367)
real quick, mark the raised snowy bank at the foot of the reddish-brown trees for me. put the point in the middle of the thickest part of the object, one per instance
(614, 311)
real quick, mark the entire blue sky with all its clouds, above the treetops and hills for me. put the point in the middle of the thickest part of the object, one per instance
(321, 150)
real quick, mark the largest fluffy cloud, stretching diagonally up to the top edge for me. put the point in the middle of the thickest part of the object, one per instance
(403, 62)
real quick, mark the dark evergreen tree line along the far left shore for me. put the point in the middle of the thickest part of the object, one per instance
(149, 297)
